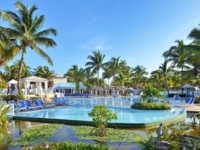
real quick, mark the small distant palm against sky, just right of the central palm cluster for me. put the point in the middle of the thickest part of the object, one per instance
(139, 72)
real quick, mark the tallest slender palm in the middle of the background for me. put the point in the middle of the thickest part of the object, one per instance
(96, 62)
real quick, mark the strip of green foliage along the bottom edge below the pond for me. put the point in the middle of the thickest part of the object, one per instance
(68, 146)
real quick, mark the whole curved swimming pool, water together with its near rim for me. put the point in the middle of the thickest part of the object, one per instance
(78, 114)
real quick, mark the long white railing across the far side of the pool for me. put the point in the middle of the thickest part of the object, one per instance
(111, 102)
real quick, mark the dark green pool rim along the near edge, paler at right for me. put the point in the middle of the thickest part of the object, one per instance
(119, 125)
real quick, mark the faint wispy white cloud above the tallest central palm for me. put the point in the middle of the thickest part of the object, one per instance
(96, 44)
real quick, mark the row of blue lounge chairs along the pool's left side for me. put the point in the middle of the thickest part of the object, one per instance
(37, 104)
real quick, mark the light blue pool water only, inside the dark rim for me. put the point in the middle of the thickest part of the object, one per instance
(125, 115)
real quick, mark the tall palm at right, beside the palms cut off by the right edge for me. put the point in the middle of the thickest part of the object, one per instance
(177, 55)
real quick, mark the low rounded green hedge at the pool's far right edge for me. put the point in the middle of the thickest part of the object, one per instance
(150, 106)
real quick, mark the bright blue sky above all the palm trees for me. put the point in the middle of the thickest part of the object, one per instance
(137, 31)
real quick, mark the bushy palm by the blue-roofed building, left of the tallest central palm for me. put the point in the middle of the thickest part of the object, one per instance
(76, 74)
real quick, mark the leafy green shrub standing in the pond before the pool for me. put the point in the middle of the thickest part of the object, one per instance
(101, 116)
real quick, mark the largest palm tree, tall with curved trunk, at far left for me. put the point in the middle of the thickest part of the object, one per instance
(26, 28)
